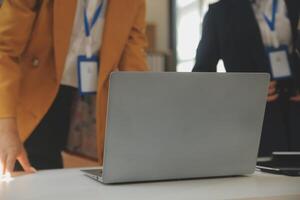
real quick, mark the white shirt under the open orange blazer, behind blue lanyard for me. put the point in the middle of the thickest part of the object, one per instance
(79, 41)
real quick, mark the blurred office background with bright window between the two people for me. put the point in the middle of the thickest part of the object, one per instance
(174, 31)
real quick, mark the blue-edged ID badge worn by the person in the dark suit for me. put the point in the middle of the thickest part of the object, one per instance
(280, 66)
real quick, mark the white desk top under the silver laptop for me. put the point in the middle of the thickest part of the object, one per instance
(73, 185)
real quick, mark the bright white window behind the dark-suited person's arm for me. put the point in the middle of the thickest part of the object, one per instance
(189, 19)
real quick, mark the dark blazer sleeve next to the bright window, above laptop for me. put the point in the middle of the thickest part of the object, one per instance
(208, 55)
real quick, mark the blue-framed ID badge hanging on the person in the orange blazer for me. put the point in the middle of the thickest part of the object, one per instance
(88, 69)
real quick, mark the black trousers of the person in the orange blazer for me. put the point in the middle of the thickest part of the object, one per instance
(49, 139)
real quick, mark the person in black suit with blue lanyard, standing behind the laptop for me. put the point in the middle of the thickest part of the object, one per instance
(249, 36)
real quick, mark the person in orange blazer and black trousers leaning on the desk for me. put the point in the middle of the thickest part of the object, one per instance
(43, 44)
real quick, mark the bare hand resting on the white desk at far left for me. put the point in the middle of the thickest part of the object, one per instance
(11, 148)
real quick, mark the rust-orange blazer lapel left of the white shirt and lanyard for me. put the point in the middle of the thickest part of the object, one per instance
(64, 13)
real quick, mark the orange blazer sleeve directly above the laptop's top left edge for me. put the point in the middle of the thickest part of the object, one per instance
(134, 55)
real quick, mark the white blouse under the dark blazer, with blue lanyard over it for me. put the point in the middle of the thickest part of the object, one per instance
(283, 29)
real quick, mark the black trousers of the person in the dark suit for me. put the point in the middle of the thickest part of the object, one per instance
(281, 129)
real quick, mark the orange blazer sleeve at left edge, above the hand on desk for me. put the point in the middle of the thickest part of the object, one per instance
(16, 22)
